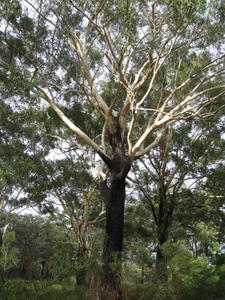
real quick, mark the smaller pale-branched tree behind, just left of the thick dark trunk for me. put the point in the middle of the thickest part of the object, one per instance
(65, 187)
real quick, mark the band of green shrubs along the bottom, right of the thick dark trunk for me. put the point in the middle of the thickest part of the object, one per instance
(189, 277)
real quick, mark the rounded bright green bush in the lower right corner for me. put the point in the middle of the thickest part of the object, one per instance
(192, 276)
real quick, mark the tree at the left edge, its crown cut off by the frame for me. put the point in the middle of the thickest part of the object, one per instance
(15, 164)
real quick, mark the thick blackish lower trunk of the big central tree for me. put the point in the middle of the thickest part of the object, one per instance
(114, 197)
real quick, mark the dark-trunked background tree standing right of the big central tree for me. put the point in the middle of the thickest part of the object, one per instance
(174, 177)
